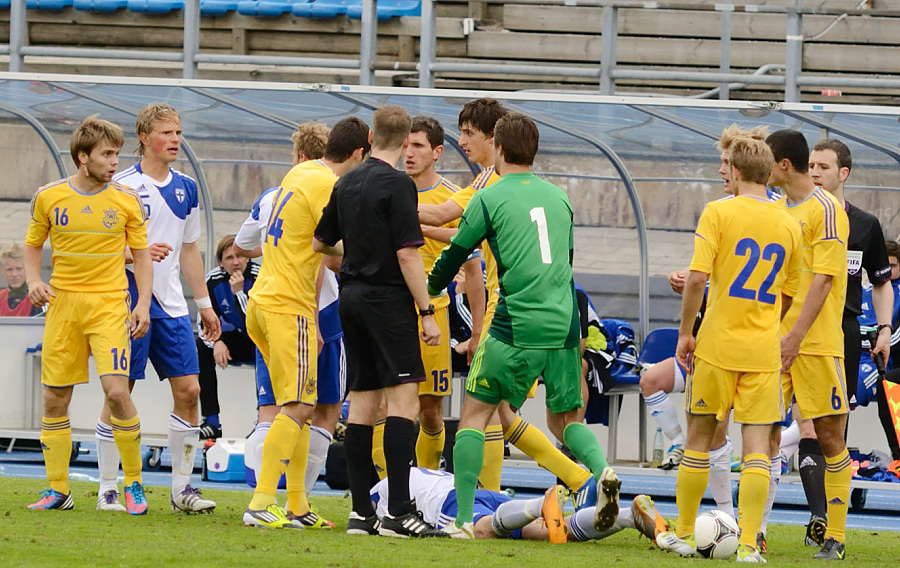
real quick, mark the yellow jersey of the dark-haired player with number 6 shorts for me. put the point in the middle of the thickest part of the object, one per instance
(825, 228)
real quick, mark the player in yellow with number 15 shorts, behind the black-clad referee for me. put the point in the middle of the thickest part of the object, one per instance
(425, 147)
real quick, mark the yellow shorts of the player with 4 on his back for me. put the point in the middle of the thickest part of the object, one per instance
(288, 345)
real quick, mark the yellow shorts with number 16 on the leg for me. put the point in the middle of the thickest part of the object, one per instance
(80, 324)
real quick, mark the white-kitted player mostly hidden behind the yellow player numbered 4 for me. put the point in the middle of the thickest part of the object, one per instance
(309, 143)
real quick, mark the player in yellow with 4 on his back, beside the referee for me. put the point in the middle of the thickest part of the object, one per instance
(282, 319)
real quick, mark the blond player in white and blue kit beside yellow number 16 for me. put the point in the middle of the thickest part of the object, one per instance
(171, 201)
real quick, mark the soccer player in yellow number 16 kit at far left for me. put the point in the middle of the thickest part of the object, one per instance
(90, 220)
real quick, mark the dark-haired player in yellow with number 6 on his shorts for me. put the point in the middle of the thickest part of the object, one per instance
(812, 349)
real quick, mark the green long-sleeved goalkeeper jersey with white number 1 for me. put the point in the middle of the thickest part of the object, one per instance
(528, 224)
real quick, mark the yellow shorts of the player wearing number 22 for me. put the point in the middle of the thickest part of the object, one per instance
(713, 390)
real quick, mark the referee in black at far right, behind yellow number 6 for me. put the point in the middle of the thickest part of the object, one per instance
(829, 167)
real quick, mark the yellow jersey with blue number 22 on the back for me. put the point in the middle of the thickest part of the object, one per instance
(752, 251)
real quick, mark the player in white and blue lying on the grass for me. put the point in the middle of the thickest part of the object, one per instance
(499, 516)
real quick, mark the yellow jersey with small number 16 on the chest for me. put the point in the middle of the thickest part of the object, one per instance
(88, 234)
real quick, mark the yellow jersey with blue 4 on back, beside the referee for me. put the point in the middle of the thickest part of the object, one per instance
(287, 280)
